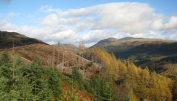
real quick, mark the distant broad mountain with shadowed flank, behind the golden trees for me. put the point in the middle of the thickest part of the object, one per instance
(144, 52)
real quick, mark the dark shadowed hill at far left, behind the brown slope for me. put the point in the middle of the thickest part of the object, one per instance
(7, 39)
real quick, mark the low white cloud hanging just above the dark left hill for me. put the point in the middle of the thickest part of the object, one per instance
(47, 34)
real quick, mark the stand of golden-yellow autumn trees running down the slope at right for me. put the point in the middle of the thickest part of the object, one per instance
(141, 84)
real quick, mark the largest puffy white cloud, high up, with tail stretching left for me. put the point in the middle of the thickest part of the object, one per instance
(125, 16)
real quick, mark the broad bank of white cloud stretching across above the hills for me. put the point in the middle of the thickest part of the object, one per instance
(94, 23)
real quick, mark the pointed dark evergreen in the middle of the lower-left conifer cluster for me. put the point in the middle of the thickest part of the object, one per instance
(37, 77)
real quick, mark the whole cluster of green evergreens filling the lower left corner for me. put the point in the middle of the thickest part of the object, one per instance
(23, 82)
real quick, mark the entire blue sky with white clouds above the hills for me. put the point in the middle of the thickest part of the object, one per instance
(73, 21)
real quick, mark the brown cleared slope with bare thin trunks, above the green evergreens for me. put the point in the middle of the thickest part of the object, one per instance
(63, 59)
